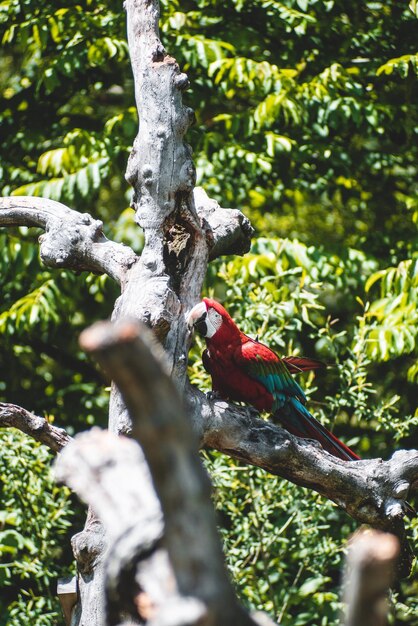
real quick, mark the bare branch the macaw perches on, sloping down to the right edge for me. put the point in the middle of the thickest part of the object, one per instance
(371, 491)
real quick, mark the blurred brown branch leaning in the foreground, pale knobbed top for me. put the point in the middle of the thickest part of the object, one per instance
(164, 432)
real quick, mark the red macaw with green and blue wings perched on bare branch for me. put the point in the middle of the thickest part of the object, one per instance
(243, 369)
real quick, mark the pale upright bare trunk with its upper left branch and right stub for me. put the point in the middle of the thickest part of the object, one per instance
(160, 286)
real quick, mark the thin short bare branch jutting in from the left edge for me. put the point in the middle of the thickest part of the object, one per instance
(13, 416)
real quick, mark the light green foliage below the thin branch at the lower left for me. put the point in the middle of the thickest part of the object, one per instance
(35, 521)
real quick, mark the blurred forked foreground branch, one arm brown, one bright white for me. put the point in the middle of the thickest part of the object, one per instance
(107, 473)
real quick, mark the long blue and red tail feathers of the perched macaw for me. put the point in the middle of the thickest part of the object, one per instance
(296, 418)
